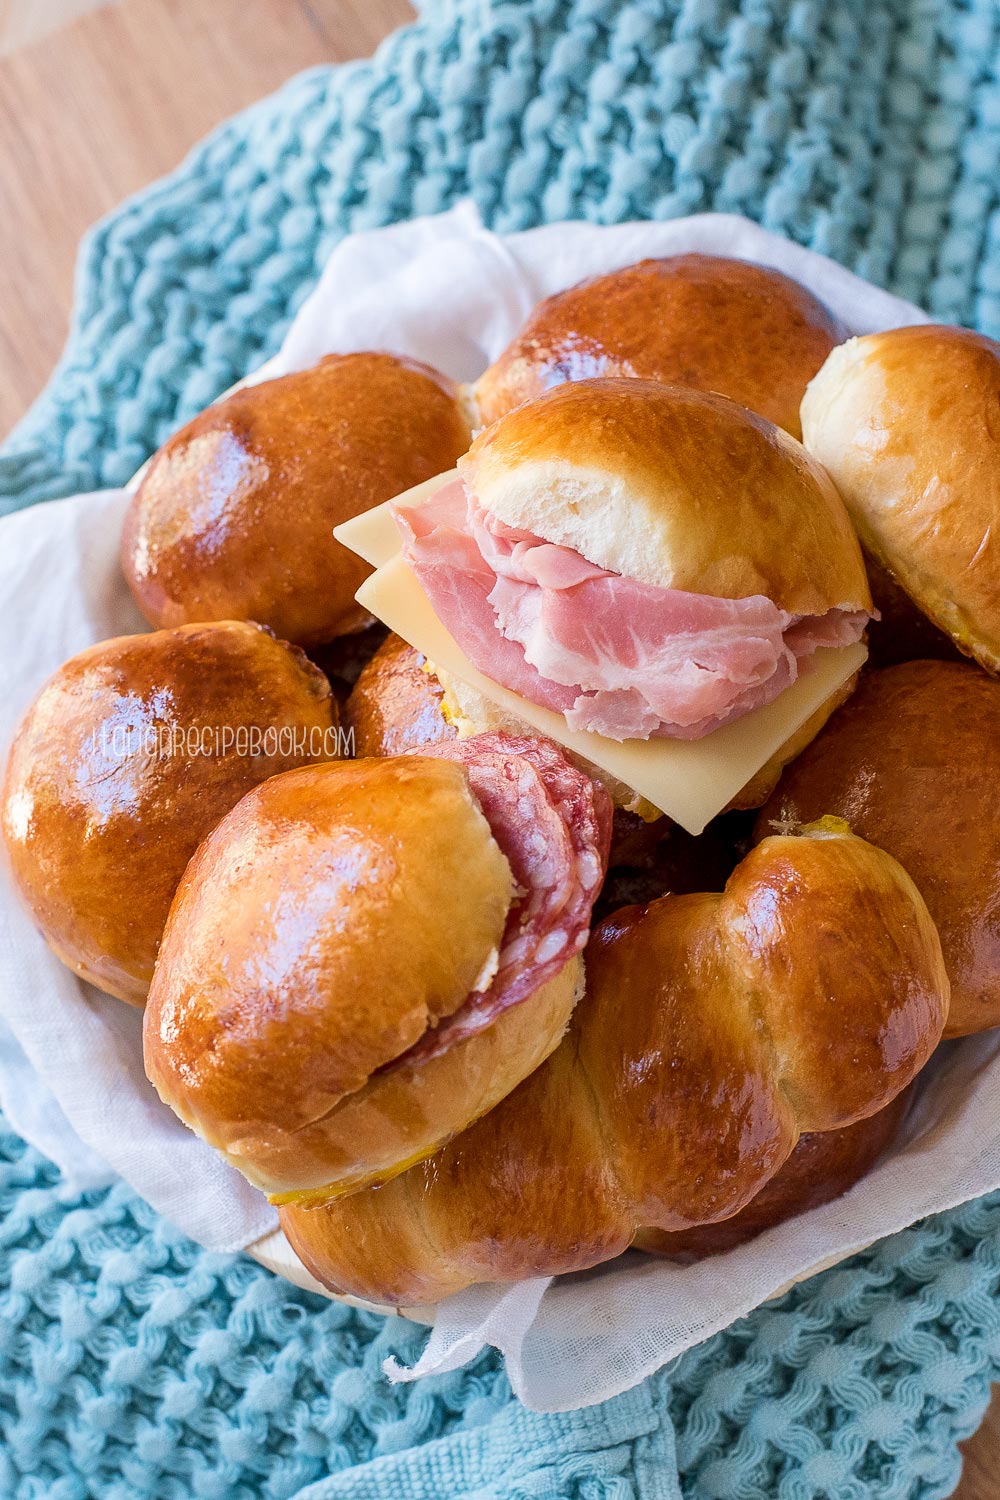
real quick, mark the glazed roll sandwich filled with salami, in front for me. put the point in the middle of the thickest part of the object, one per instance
(364, 958)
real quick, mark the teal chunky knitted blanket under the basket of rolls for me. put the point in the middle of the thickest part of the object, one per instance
(133, 1364)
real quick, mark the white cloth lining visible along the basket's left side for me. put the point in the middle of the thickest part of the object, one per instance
(71, 1060)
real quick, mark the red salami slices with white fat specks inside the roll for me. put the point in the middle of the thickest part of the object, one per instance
(555, 827)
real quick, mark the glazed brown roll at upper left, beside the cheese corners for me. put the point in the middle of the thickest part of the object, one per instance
(235, 517)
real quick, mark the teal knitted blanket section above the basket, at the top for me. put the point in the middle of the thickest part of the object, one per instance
(869, 131)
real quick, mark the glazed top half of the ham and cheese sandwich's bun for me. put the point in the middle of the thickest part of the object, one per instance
(672, 488)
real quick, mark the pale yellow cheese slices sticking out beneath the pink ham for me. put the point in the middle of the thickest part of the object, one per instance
(690, 781)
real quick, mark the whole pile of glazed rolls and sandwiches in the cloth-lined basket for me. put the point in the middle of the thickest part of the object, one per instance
(463, 1003)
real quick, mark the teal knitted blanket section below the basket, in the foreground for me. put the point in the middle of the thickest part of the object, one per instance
(134, 1364)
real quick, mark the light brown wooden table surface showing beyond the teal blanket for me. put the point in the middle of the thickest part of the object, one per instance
(115, 101)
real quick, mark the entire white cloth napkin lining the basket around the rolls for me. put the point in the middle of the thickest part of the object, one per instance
(71, 1075)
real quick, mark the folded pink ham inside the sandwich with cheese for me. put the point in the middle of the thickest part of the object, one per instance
(611, 655)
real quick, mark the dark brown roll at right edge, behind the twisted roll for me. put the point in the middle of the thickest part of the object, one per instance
(912, 763)
